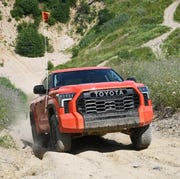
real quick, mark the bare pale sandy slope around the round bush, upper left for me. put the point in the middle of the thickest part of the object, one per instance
(22, 71)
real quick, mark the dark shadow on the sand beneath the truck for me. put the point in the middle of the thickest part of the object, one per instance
(82, 144)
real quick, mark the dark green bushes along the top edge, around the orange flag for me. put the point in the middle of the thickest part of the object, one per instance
(59, 9)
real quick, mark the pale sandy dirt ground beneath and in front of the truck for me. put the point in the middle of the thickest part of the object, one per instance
(91, 158)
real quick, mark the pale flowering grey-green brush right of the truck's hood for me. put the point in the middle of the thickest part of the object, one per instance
(161, 76)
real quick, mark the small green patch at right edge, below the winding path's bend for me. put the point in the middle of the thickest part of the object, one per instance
(172, 44)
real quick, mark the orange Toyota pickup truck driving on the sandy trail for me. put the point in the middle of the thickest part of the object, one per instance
(89, 101)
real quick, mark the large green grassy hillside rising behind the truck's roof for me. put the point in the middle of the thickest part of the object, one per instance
(134, 23)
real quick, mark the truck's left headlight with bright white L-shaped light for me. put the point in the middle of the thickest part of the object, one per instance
(64, 98)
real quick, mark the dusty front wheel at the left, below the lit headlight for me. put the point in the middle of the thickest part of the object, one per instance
(59, 142)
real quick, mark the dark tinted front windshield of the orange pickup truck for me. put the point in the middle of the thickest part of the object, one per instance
(85, 76)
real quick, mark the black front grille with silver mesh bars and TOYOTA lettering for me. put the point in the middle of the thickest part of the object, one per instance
(105, 101)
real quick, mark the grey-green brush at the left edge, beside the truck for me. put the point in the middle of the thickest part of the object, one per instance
(12, 103)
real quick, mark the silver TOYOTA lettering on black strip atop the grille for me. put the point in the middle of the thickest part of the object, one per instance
(109, 93)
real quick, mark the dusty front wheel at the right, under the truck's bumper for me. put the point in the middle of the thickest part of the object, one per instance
(141, 137)
